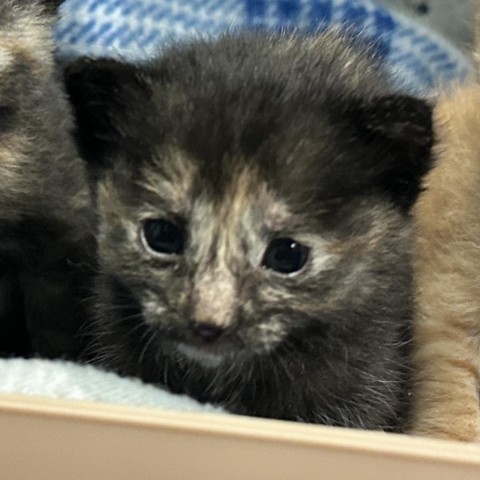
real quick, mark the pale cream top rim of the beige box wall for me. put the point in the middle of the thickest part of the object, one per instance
(211, 424)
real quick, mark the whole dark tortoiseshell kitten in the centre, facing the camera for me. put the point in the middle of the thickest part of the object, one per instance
(254, 233)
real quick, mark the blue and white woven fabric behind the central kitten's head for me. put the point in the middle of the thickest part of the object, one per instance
(135, 29)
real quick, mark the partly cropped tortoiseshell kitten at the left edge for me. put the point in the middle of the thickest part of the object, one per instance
(45, 219)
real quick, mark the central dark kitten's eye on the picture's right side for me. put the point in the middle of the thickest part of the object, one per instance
(285, 255)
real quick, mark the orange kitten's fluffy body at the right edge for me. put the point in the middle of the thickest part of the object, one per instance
(447, 266)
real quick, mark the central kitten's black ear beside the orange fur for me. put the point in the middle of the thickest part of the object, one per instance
(403, 129)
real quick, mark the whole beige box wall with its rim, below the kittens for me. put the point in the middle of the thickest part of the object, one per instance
(56, 440)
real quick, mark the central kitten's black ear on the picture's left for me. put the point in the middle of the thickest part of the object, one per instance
(97, 89)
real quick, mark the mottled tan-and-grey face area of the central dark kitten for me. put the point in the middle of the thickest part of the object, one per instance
(222, 276)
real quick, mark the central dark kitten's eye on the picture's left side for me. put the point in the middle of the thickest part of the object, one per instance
(164, 236)
